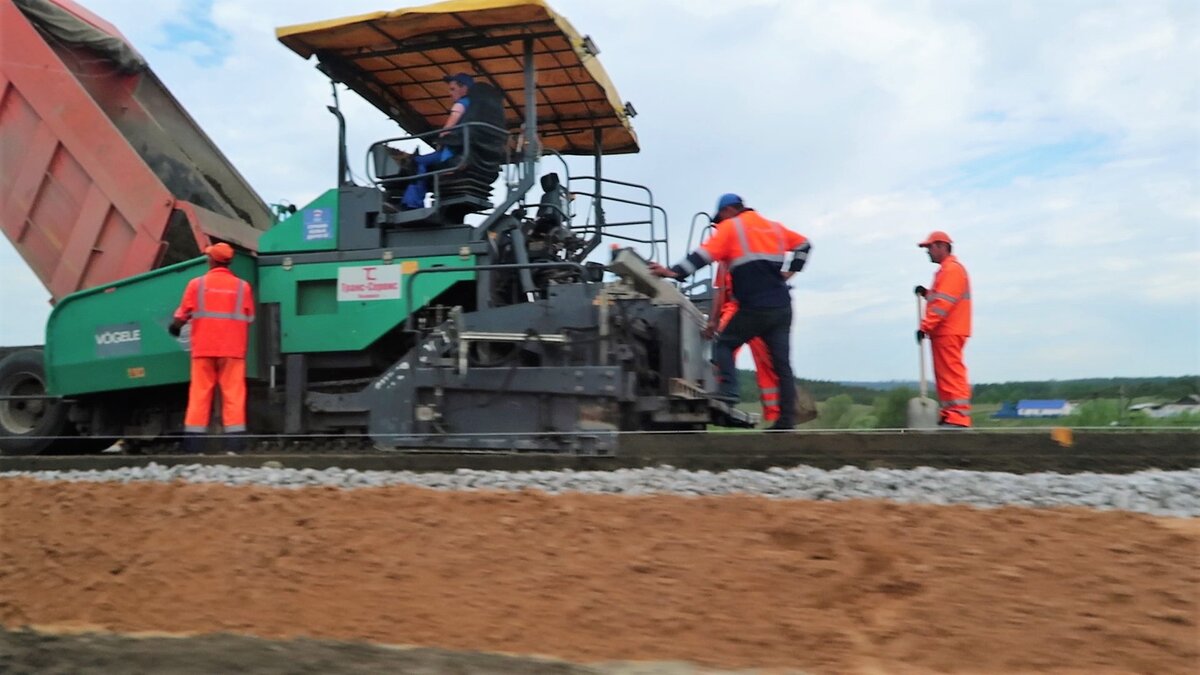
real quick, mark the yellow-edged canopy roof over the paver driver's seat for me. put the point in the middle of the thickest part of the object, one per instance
(398, 59)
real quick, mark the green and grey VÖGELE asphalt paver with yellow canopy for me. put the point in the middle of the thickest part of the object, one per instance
(493, 318)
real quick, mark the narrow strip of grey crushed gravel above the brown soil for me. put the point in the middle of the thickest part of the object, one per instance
(1157, 493)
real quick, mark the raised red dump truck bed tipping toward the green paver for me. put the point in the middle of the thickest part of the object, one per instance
(103, 175)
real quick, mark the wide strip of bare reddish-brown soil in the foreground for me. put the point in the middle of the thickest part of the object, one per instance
(724, 582)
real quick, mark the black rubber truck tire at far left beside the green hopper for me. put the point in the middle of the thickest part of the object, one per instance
(26, 368)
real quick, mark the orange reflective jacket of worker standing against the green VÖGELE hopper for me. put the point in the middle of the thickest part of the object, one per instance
(221, 308)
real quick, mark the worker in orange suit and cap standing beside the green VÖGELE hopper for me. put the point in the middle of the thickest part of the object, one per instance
(221, 309)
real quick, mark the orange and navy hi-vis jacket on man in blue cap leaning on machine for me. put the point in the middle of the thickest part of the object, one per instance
(754, 249)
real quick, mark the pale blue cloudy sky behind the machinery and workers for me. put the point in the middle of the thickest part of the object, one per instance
(1058, 144)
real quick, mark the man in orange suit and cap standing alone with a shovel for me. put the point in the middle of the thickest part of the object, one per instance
(947, 324)
